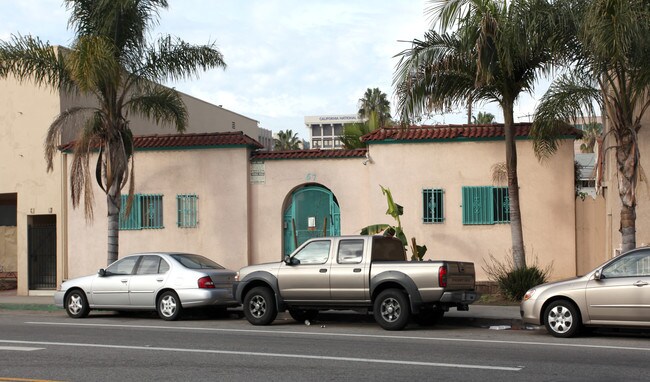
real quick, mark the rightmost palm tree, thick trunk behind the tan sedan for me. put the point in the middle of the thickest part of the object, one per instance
(610, 69)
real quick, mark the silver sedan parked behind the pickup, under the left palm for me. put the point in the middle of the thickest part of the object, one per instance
(165, 282)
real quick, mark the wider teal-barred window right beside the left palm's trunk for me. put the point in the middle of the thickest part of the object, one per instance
(146, 212)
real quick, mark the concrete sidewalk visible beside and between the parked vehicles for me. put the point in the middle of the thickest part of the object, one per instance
(494, 316)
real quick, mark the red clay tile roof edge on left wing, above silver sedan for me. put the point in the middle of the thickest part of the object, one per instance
(177, 141)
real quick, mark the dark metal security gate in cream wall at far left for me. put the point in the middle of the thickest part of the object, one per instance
(42, 256)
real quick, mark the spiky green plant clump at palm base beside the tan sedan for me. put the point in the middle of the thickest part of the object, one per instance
(514, 282)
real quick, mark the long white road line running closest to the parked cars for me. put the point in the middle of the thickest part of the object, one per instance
(350, 335)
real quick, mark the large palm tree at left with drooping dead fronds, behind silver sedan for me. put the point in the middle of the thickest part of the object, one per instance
(112, 61)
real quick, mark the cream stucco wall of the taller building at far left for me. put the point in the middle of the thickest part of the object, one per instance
(27, 112)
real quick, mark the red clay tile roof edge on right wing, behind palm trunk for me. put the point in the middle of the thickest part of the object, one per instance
(447, 132)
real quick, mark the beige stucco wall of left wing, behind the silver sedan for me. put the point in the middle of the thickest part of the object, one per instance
(217, 176)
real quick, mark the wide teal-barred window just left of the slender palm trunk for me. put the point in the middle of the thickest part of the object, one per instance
(485, 205)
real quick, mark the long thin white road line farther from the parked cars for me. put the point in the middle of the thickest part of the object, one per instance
(275, 355)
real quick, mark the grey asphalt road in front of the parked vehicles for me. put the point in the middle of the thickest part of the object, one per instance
(108, 347)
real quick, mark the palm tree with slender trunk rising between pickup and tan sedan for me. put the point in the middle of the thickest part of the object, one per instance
(487, 51)
